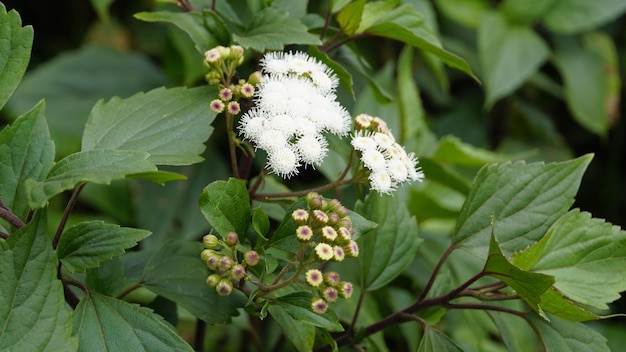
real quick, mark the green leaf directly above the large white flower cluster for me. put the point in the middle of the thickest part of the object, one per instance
(272, 29)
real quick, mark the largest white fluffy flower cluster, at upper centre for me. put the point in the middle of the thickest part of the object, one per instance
(295, 104)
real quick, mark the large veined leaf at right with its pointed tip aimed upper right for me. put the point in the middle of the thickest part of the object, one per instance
(524, 200)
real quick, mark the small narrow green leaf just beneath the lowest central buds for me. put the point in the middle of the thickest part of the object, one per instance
(298, 306)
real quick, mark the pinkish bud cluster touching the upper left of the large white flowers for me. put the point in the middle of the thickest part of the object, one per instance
(222, 63)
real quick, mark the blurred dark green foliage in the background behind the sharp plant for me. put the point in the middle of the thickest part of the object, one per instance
(550, 72)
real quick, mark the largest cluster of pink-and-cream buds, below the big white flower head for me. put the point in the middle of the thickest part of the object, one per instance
(327, 228)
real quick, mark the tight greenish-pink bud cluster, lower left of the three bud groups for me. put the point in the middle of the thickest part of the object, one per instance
(220, 257)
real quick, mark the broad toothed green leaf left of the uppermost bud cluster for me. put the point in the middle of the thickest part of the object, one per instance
(170, 124)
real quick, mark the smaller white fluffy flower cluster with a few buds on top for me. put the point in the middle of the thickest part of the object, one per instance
(387, 160)
